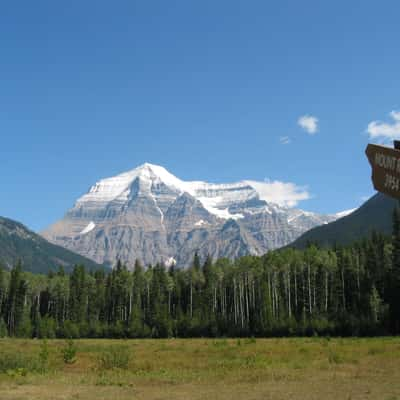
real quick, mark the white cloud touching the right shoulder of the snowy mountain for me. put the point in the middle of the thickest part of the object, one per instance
(283, 193)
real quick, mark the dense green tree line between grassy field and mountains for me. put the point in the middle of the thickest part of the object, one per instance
(347, 290)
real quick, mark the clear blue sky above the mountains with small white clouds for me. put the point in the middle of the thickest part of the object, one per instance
(222, 91)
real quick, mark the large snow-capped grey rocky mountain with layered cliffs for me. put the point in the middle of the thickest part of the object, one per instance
(150, 215)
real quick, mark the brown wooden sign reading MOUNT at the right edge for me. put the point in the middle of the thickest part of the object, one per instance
(385, 163)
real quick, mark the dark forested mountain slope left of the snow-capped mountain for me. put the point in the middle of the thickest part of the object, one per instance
(36, 254)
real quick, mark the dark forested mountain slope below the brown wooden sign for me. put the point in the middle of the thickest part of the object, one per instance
(375, 214)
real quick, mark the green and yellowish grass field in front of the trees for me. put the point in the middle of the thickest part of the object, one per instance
(202, 369)
